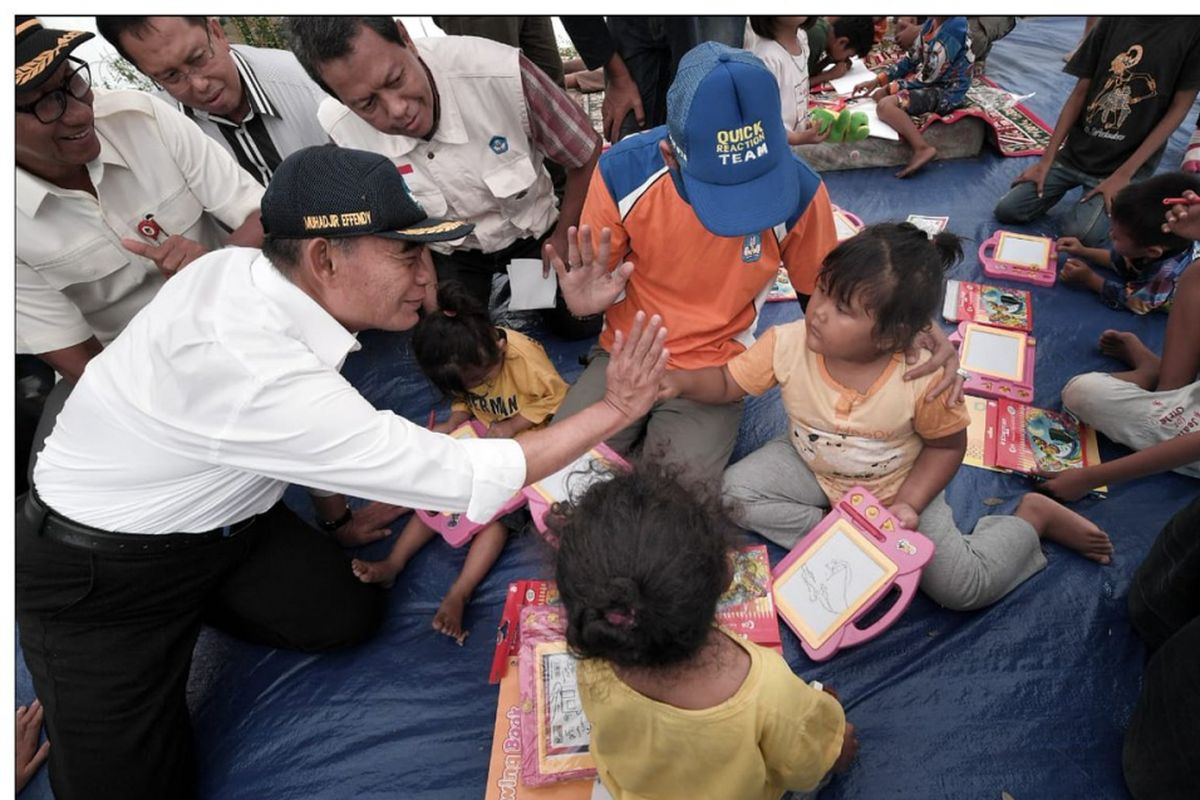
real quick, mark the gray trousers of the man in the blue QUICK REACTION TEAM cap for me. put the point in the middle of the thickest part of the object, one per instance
(697, 437)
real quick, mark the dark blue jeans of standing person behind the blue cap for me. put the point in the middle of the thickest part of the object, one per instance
(652, 49)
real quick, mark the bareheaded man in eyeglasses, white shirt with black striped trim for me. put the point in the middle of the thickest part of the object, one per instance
(257, 103)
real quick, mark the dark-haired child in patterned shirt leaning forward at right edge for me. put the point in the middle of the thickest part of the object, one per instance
(1148, 260)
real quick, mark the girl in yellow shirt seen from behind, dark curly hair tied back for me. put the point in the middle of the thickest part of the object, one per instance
(680, 708)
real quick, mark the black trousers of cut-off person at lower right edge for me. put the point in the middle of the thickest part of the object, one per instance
(1162, 745)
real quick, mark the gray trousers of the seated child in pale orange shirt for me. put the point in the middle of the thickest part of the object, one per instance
(775, 494)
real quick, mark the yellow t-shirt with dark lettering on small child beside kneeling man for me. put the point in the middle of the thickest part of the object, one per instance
(527, 384)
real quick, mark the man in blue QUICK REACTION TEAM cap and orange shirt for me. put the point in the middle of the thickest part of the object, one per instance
(694, 220)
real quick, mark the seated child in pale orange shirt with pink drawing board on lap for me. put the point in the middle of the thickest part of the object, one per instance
(855, 422)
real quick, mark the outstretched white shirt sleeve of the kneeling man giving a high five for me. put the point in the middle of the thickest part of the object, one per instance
(310, 426)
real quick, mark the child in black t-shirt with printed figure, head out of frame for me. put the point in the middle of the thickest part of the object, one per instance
(1138, 77)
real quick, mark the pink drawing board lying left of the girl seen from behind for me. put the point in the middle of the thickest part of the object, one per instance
(555, 731)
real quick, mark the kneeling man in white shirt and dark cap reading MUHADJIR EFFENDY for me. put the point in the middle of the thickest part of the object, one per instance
(157, 502)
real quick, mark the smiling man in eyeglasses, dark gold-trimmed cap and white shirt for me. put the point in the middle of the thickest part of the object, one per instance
(116, 194)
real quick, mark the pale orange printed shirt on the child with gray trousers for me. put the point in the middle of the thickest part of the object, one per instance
(845, 437)
